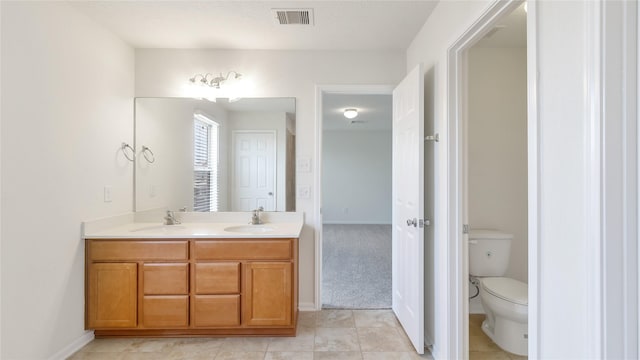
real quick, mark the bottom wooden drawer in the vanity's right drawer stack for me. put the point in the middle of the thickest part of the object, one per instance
(216, 310)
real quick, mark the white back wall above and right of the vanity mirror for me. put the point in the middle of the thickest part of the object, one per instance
(275, 74)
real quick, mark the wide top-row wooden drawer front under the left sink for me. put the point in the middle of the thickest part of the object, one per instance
(110, 250)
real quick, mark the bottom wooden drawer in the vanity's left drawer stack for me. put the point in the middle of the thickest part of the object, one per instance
(165, 311)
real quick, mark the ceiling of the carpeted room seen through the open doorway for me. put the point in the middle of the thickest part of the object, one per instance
(374, 112)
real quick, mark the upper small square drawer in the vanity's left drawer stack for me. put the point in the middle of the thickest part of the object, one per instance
(165, 279)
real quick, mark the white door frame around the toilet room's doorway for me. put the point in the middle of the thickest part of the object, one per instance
(457, 247)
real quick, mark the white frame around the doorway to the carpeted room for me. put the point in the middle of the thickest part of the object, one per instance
(317, 180)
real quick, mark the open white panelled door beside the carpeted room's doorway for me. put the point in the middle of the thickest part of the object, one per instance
(408, 209)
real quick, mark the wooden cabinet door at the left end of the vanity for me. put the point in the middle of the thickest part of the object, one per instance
(113, 295)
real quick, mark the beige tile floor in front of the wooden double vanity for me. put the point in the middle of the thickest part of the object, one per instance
(322, 335)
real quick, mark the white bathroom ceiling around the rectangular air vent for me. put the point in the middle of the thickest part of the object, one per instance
(250, 25)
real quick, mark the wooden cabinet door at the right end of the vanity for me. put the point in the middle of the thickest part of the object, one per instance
(267, 294)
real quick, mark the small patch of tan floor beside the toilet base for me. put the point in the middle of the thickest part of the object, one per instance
(481, 347)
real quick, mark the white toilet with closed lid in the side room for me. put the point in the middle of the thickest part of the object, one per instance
(504, 300)
